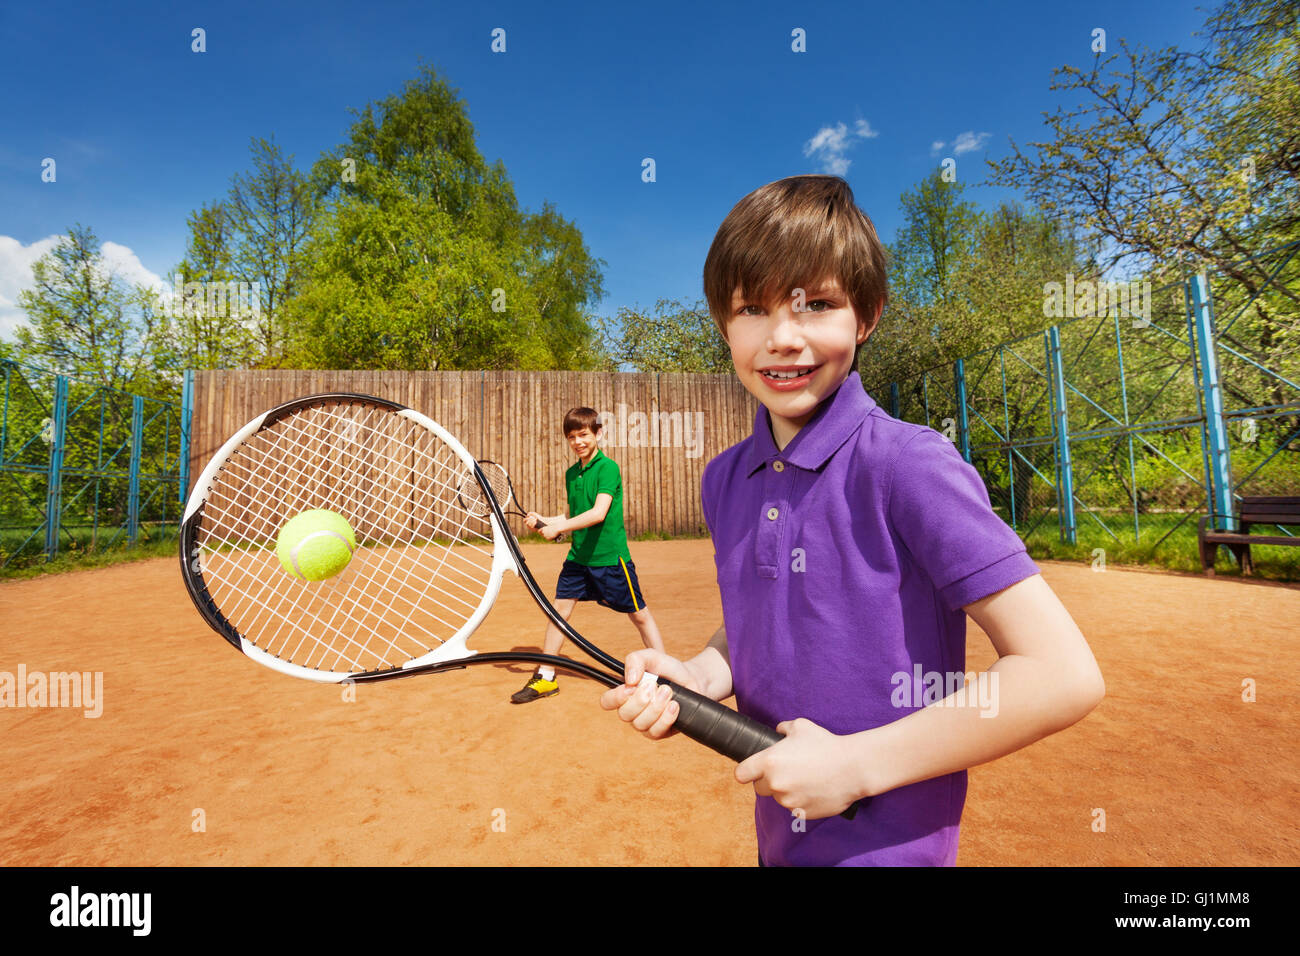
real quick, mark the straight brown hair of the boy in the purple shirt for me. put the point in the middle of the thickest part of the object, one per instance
(792, 235)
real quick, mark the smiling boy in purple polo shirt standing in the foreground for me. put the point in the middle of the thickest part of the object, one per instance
(851, 547)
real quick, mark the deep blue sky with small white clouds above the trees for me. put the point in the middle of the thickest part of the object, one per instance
(145, 132)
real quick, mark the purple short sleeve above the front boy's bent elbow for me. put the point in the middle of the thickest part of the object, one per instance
(941, 511)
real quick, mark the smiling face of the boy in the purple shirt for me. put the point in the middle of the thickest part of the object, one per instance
(792, 361)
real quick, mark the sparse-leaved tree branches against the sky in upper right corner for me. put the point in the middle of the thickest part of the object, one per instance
(1180, 157)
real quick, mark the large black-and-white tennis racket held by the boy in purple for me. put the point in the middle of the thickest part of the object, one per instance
(426, 573)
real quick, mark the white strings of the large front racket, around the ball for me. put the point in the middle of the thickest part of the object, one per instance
(423, 561)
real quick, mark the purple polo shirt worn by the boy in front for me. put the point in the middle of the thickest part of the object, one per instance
(844, 564)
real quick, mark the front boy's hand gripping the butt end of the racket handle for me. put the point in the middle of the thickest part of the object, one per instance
(812, 771)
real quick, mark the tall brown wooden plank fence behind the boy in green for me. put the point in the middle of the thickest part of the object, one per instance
(662, 430)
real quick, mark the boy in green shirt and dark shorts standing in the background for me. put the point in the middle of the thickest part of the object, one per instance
(599, 566)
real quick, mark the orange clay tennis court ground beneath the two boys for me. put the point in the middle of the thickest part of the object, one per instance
(443, 771)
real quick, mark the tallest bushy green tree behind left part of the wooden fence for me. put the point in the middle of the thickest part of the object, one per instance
(422, 258)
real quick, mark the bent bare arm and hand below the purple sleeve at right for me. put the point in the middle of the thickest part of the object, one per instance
(1045, 681)
